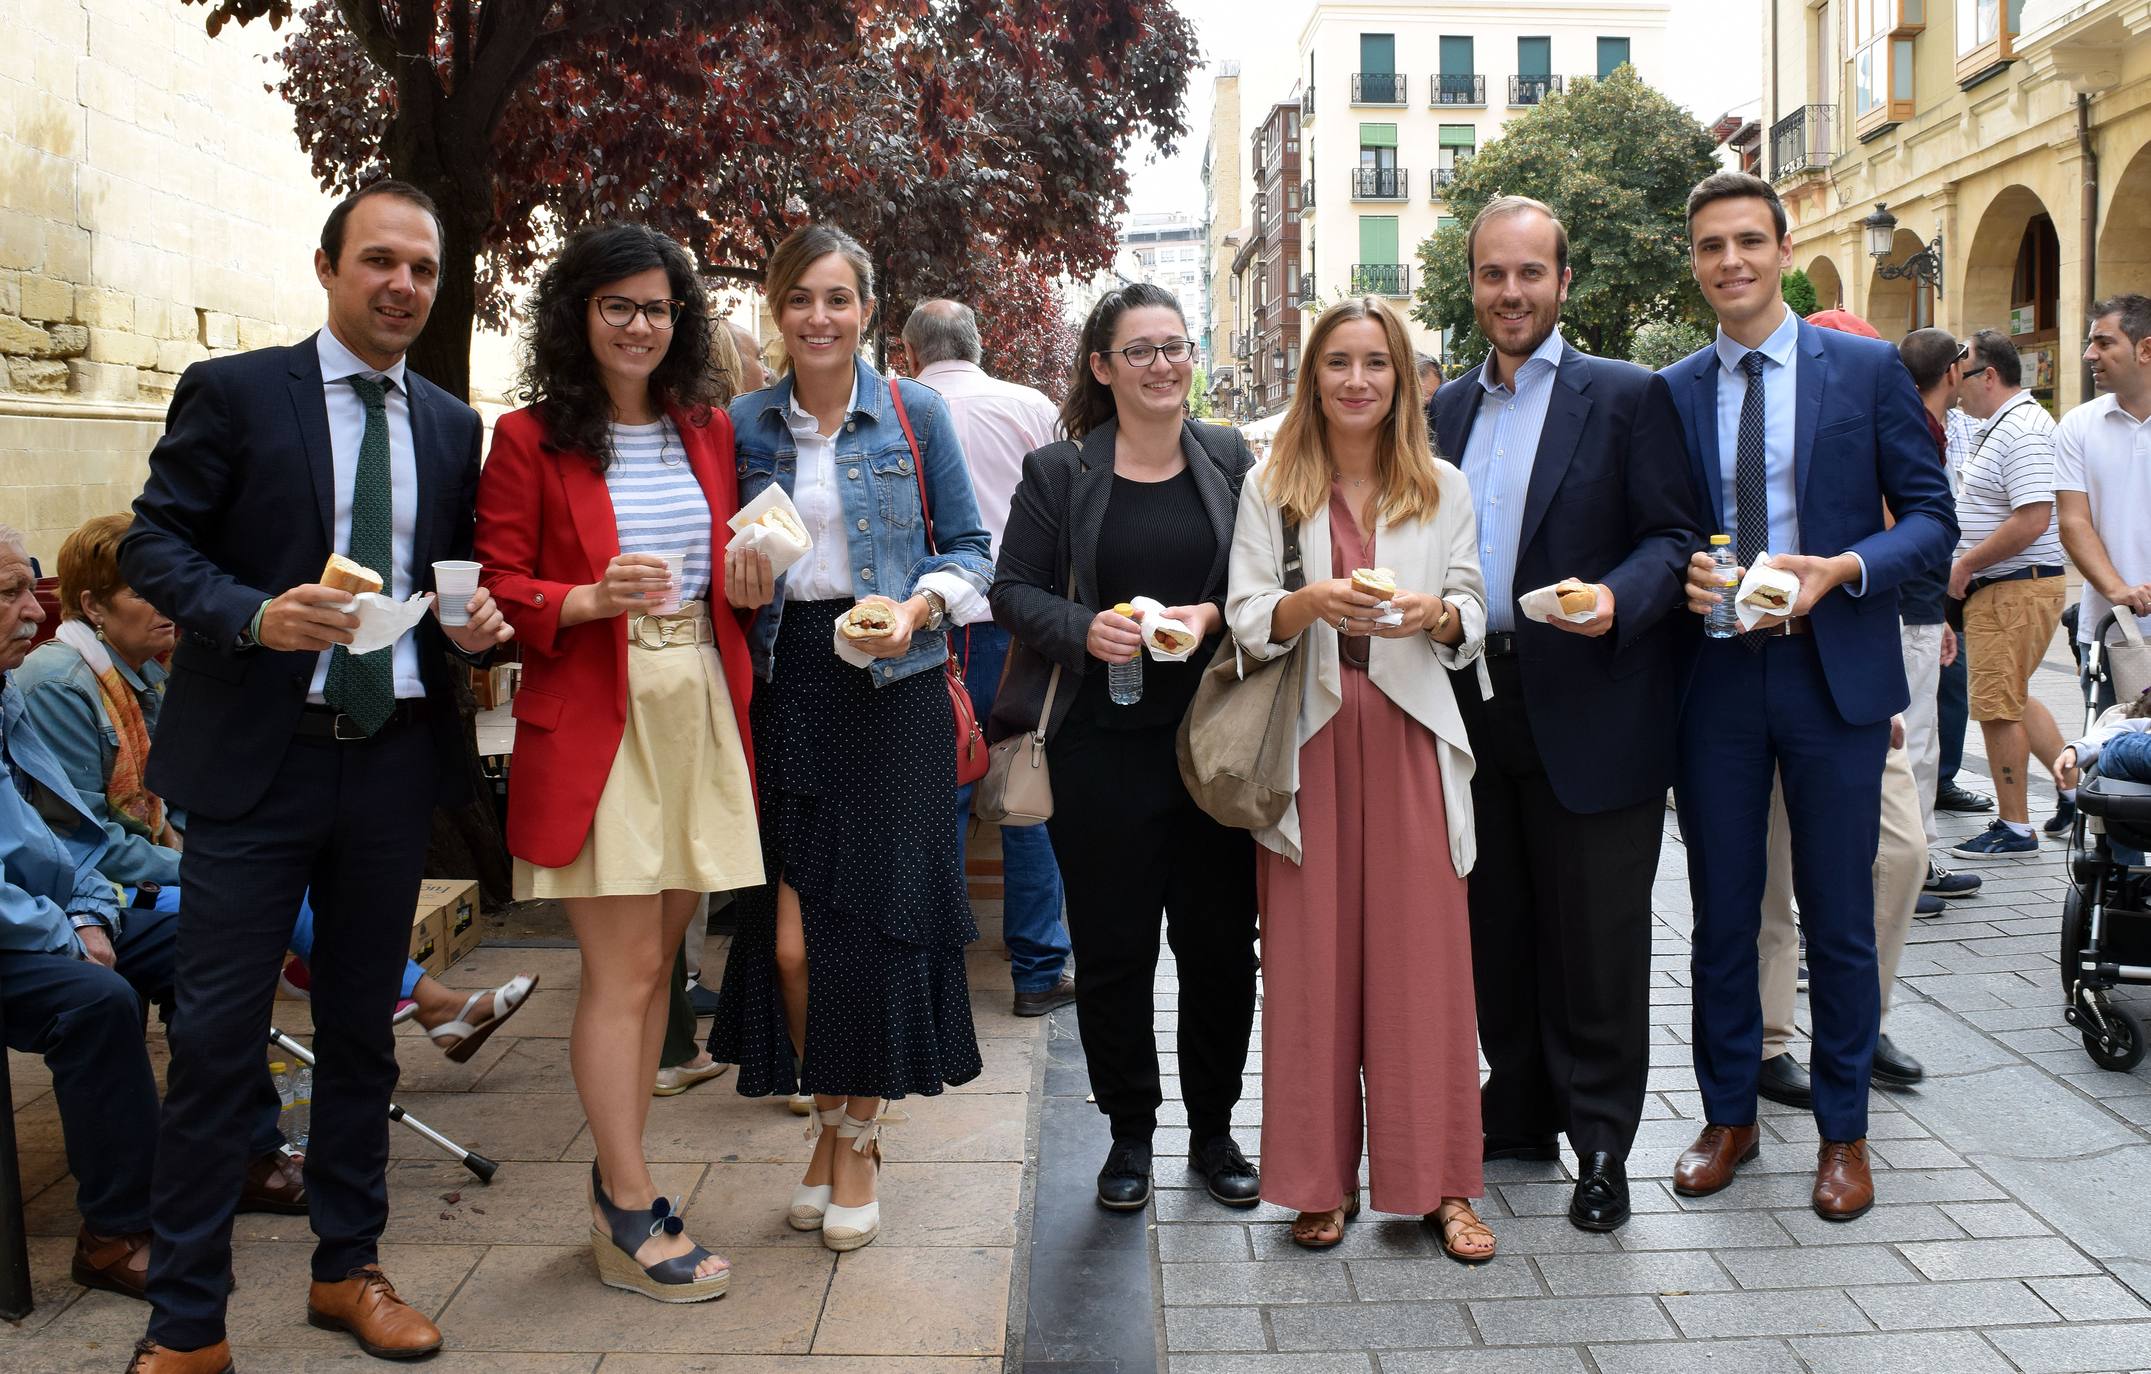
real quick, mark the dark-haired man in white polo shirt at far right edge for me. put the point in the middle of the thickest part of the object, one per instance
(2103, 470)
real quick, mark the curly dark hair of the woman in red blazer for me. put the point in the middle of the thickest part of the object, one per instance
(560, 377)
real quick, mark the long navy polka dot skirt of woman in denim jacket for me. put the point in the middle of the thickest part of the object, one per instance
(857, 792)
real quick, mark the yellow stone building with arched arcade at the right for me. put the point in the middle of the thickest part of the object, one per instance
(1974, 164)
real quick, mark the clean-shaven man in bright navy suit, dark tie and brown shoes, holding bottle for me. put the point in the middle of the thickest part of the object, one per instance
(1799, 435)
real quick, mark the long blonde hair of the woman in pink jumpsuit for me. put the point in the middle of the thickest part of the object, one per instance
(1298, 472)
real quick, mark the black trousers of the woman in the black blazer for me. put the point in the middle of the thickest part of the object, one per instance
(1130, 844)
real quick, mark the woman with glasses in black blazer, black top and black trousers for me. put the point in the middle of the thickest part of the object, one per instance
(1139, 502)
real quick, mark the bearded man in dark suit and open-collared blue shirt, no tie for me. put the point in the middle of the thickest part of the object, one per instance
(1578, 472)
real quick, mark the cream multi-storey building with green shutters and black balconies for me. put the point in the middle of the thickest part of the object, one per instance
(1397, 96)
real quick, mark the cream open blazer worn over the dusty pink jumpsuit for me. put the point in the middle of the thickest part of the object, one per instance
(1427, 556)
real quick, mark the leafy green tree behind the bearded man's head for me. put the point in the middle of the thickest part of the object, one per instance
(1616, 162)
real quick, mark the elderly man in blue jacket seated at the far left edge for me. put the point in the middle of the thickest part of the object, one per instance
(79, 971)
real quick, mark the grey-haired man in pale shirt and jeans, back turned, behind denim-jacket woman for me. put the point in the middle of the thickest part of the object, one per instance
(999, 425)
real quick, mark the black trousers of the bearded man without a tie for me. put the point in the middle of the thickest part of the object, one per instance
(1561, 939)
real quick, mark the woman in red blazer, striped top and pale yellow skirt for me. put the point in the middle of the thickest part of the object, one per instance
(601, 521)
